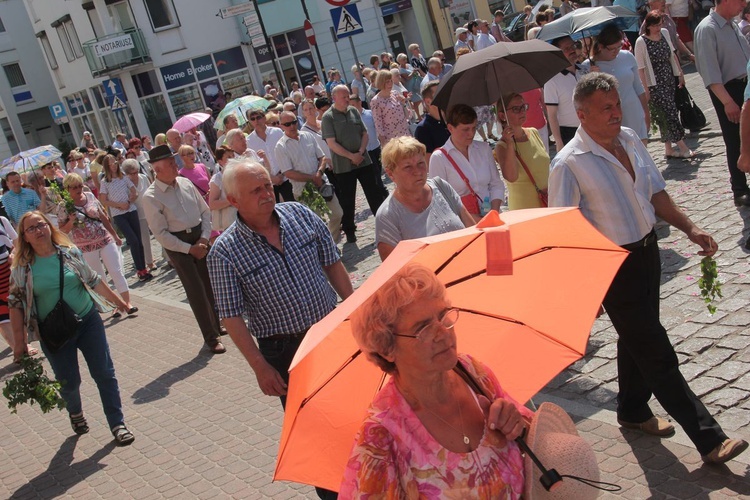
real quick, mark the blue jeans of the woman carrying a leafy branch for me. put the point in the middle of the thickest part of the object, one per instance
(92, 342)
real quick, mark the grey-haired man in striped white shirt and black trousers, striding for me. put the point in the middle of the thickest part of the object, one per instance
(607, 172)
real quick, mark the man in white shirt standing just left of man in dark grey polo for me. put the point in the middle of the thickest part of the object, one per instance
(301, 160)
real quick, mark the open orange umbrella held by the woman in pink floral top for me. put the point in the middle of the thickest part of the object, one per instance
(526, 312)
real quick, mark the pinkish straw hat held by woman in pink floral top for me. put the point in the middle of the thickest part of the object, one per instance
(555, 441)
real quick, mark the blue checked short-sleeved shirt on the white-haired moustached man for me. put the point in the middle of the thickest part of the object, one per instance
(281, 293)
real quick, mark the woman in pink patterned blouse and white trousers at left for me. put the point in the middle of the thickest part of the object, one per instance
(87, 225)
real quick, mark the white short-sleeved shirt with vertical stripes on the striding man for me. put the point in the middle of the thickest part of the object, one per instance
(585, 175)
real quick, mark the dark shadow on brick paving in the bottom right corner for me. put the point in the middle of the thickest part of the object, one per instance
(666, 474)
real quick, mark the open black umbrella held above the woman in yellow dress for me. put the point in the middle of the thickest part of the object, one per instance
(480, 78)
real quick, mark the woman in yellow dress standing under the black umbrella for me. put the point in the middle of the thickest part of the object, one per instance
(523, 159)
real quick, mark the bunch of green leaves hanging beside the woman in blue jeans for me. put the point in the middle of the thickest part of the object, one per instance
(33, 385)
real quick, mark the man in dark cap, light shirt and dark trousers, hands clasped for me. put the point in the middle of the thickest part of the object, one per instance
(181, 221)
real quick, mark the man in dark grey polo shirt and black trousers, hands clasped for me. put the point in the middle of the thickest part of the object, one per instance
(346, 136)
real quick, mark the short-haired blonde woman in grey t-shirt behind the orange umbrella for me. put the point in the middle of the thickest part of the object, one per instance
(419, 206)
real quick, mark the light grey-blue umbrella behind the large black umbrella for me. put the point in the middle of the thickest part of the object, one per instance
(589, 21)
